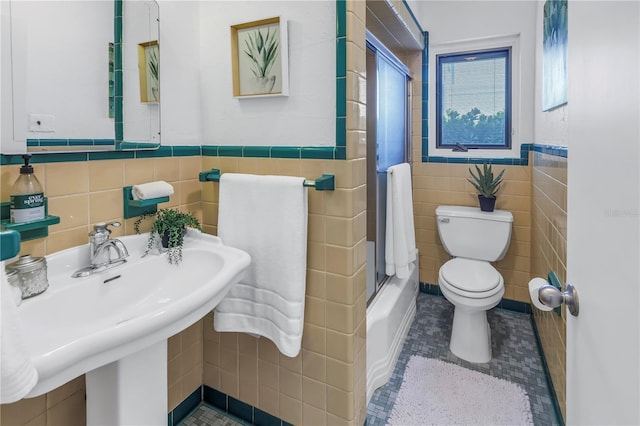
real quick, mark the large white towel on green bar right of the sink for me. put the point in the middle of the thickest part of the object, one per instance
(267, 217)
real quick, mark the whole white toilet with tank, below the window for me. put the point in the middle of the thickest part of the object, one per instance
(474, 238)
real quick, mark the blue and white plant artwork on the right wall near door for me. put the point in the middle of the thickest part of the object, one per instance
(554, 54)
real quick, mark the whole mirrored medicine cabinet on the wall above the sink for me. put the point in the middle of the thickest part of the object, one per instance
(73, 86)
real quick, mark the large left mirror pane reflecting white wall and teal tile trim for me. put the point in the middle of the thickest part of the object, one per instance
(60, 59)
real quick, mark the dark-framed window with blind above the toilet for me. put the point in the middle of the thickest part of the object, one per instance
(473, 100)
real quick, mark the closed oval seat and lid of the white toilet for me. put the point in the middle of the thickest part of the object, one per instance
(471, 278)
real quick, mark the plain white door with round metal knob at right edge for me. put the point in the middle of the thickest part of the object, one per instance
(603, 257)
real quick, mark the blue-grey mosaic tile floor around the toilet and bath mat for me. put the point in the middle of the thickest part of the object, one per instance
(515, 358)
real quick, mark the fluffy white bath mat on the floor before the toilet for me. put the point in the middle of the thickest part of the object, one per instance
(434, 392)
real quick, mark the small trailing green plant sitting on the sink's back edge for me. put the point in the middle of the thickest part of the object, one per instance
(169, 227)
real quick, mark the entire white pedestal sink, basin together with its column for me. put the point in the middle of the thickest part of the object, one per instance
(114, 325)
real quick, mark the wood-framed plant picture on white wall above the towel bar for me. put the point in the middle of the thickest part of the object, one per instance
(259, 58)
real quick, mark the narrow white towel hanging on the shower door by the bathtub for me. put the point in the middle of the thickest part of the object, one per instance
(400, 247)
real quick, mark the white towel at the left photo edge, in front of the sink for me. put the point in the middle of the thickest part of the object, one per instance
(17, 373)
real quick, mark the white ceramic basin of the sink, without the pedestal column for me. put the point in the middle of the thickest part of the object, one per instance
(81, 324)
